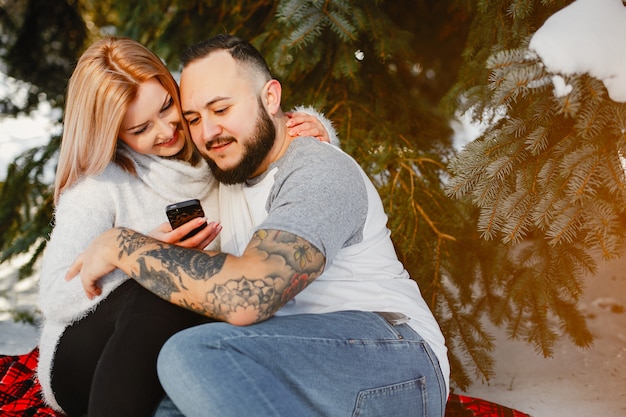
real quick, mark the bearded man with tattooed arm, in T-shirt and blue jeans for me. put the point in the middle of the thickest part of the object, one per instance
(320, 317)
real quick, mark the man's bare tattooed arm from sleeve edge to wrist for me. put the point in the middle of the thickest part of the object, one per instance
(275, 267)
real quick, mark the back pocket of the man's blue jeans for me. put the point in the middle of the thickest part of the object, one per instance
(406, 399)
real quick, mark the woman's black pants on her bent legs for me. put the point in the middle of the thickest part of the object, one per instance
(105, 364)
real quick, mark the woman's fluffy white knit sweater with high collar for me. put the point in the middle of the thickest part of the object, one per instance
(94, 205)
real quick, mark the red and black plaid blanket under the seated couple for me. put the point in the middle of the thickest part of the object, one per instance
(20, 394)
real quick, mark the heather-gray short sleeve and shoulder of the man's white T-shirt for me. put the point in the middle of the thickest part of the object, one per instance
(319, 195)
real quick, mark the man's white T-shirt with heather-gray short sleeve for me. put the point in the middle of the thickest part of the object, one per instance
(319, 193)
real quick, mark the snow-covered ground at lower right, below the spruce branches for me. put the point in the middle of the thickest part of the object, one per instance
(575, 382)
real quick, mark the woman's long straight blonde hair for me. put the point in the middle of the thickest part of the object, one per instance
(100, 90)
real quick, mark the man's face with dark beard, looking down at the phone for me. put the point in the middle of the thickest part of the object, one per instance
(227, 120)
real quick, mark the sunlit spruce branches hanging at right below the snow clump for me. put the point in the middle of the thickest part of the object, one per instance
(548, 180)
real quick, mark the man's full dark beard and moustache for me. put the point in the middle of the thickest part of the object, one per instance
(254, 151)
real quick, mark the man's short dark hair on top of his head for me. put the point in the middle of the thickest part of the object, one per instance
(239, 49)
